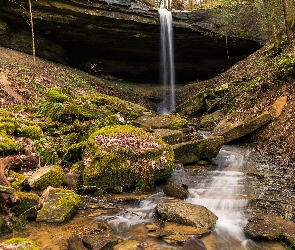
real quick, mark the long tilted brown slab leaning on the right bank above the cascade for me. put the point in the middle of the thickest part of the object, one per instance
(231, 131)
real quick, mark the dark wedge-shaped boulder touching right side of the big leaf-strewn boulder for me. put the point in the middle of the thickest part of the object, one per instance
(195, 150)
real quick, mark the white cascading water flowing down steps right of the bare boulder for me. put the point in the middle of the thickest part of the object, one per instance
(222, 193)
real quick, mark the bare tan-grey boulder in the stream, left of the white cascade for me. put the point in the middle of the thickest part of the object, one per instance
(187, 214)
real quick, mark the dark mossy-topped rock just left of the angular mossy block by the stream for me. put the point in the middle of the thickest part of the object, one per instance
(28, 205)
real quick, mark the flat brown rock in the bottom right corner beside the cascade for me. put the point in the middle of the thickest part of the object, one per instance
(271, 227)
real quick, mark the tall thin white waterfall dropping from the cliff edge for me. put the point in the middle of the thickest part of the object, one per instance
(167, 63)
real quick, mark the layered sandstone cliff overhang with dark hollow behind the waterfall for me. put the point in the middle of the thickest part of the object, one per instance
(119, 38)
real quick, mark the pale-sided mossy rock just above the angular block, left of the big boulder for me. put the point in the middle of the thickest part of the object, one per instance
(46, 176)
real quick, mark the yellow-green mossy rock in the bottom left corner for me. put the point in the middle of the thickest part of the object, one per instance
(19, 244)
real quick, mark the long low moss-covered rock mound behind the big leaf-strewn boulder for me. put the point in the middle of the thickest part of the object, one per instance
(63, 106)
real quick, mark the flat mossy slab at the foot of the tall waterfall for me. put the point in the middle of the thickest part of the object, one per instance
(160, 121)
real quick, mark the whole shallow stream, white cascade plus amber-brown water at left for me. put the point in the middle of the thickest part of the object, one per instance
(223, 186)
